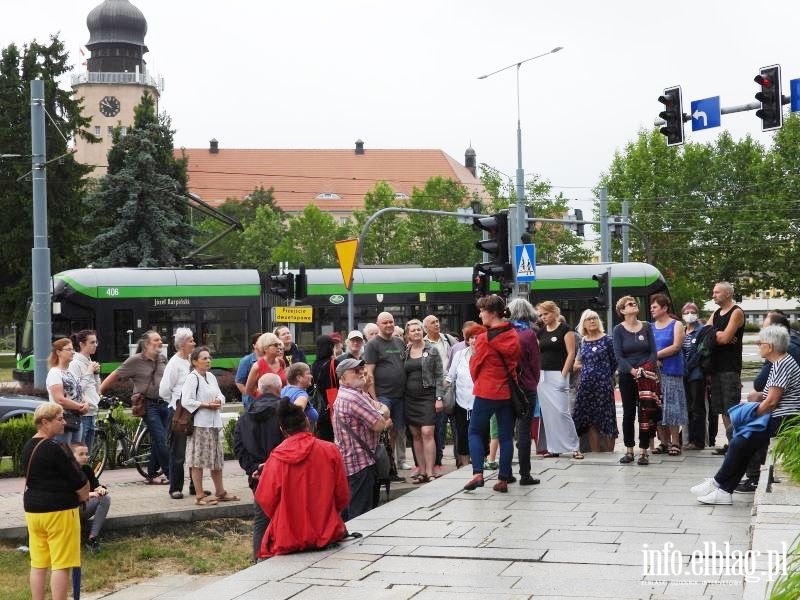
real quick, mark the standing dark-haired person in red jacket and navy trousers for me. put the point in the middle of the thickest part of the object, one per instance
(496, 355)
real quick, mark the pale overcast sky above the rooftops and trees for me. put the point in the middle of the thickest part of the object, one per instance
(322, 73)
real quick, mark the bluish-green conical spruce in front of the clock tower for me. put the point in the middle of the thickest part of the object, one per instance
(141, 199)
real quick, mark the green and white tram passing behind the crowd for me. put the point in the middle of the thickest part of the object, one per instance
(225, 307)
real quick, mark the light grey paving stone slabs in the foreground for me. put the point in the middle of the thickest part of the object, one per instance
(584, 532)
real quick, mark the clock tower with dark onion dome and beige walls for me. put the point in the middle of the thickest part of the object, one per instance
(116, 76)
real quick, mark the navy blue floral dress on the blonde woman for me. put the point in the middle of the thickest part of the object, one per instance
(594, 401)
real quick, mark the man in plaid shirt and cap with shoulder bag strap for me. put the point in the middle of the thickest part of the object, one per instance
(367, 418)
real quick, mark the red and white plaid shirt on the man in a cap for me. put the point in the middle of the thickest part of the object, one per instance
(355, 408)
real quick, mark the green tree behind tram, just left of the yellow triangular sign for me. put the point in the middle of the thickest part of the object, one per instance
(310, 239)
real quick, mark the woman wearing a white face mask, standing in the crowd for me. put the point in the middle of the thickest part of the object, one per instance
(694, 382)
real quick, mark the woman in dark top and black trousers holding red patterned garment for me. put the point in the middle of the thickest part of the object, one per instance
(635, 351)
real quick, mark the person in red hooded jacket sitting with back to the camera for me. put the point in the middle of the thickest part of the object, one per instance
(302, 489)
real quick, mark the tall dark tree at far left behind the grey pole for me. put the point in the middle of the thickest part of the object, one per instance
(65, 178)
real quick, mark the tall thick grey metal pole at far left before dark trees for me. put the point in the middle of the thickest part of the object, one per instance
(40, 255)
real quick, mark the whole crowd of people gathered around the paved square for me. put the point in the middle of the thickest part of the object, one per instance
(315, 435)
